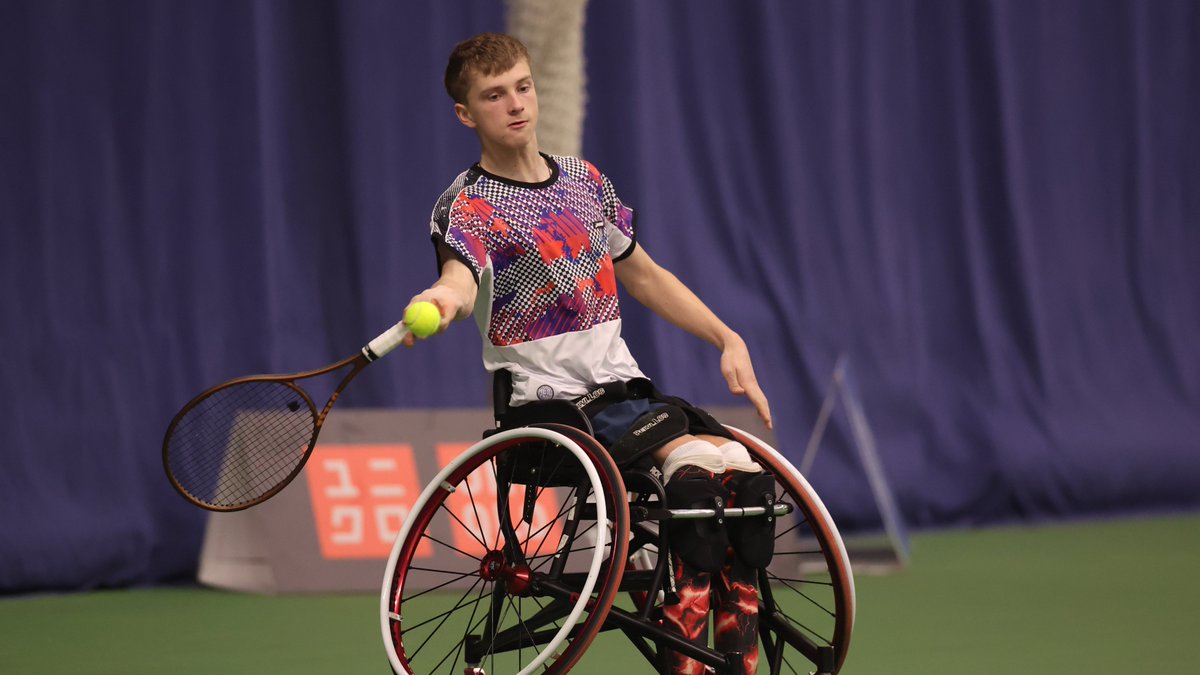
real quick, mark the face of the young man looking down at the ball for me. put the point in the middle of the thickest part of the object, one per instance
(502, 109)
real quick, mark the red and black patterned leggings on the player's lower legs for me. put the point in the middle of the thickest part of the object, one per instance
(736, 611)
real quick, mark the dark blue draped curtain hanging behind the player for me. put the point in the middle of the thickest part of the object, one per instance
(992, 207)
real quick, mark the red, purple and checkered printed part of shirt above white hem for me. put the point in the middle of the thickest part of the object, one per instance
(548, 246)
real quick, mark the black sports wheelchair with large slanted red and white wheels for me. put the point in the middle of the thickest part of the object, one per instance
(556, 546)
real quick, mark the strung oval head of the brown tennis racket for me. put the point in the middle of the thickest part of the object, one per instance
(241, 443)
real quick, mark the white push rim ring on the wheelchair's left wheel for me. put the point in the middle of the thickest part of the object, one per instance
(386, 617)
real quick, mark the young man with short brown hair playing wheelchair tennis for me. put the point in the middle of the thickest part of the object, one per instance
(533, 246)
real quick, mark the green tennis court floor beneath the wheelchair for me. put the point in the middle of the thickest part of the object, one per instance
(1112, 598)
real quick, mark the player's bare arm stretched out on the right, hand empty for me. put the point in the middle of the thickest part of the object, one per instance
(667, 296)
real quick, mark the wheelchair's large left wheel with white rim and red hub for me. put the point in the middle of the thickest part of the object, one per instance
(532, 516)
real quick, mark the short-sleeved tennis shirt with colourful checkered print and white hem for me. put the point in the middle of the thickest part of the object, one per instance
(543, 255)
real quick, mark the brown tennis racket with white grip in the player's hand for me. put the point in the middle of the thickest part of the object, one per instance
(239, 444)
